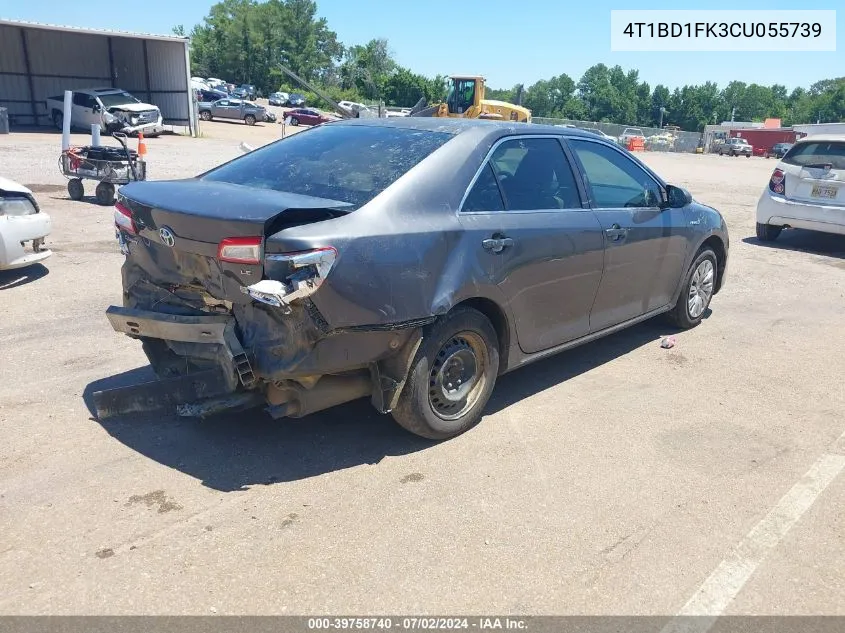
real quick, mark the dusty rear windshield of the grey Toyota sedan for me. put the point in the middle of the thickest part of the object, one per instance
(351, 163)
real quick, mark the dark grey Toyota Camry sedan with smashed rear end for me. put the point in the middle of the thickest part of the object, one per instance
(290, 273)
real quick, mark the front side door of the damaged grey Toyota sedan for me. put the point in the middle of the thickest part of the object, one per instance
(645, 240)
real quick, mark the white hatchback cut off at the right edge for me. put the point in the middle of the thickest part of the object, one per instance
(806, 190)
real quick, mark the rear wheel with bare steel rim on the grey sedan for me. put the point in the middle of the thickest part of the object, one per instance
(461, 339)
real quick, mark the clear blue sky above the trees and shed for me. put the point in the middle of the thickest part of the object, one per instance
(506, 41)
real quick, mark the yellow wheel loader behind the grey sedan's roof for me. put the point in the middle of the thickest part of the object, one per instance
(466, 101)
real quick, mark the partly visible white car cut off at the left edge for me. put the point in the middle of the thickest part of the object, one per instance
(21, 223)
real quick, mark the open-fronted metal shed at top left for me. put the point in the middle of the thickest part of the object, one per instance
(41, 60)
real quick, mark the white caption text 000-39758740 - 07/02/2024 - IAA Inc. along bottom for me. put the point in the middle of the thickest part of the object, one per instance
(417, 624)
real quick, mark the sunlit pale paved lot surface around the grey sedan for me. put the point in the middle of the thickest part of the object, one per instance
(618, 478)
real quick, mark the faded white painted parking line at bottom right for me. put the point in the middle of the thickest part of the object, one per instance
(729, 577)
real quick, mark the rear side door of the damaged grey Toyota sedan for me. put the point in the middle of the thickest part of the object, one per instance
(537, 241)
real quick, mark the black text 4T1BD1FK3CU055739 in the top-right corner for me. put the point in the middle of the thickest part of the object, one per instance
(724, 29)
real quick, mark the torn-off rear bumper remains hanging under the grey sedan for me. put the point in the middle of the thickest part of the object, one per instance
(234, 382)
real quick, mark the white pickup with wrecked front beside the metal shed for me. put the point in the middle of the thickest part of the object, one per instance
(111, 108)
